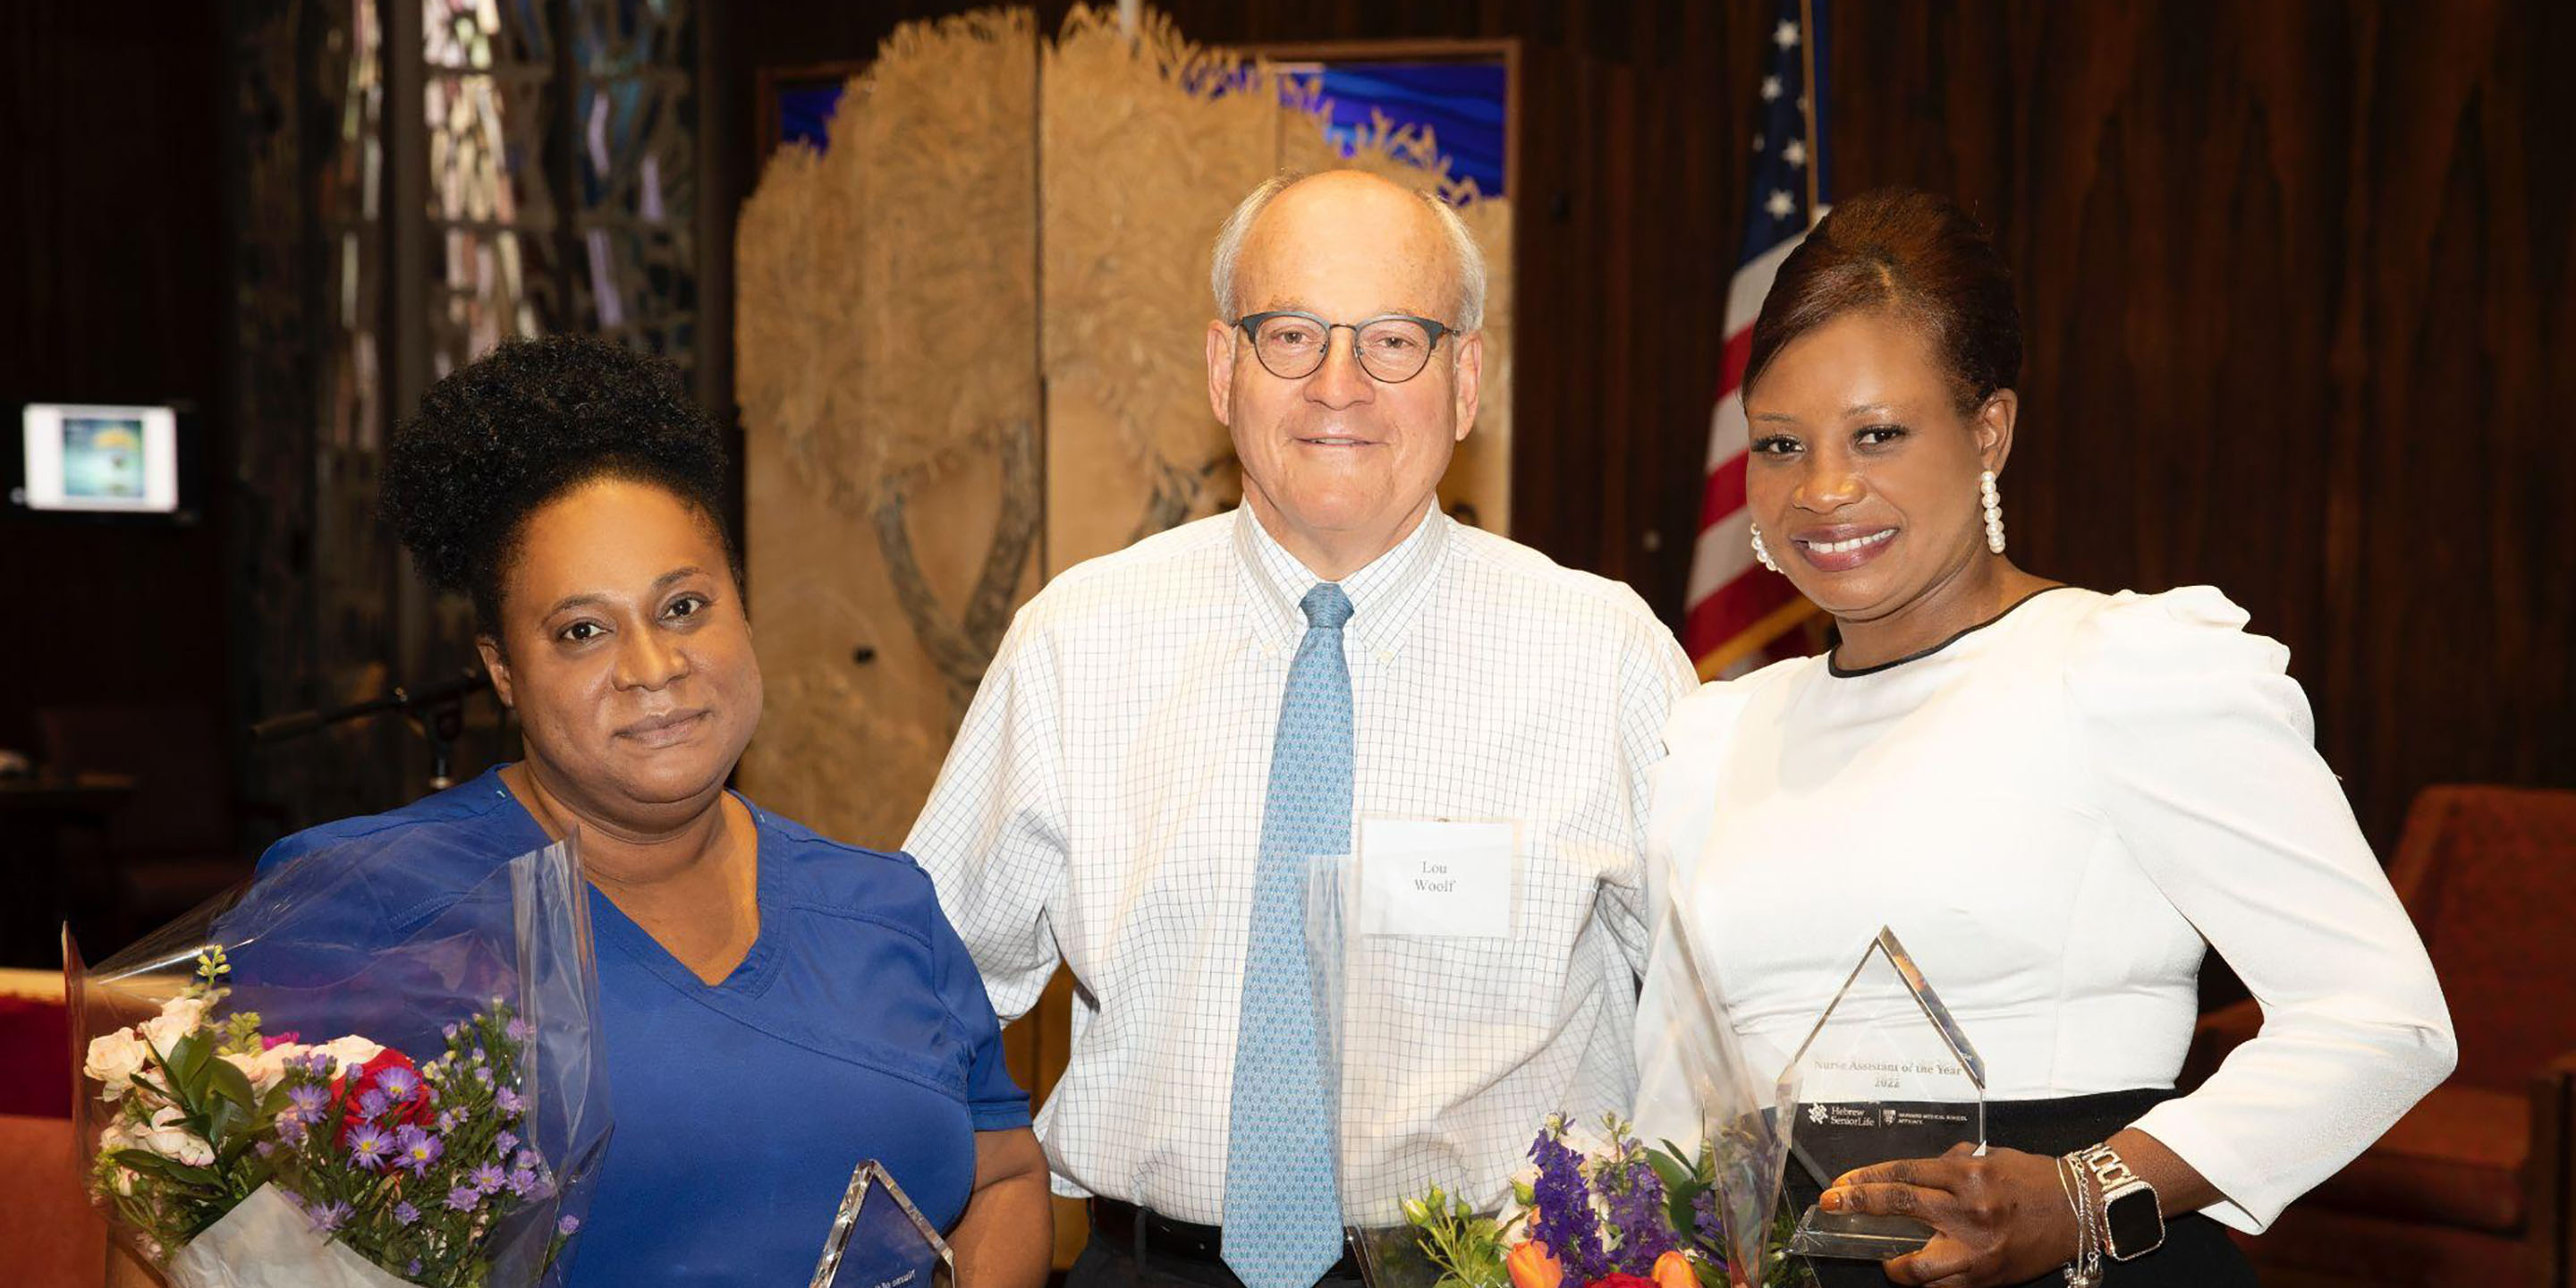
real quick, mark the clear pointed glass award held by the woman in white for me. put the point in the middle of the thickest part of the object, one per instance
(1884, 1075)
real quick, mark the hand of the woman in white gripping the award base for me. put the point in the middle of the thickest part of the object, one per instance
(2000, 1217)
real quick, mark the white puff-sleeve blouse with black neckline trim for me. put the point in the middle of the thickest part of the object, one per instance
(2060, 813)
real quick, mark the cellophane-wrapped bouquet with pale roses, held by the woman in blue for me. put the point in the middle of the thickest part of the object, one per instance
(375, 1065)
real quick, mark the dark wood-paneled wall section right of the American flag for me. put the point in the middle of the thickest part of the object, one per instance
(2297, 305)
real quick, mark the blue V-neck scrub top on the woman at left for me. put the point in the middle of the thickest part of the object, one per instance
(857, 1029)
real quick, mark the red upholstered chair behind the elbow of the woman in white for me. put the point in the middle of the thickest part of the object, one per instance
(2474, 1186)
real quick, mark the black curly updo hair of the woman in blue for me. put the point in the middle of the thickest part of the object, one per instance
(519, 429)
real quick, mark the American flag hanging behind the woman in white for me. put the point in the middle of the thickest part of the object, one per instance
(1738, 609)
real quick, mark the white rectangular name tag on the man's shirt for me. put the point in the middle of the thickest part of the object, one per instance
(1436, 877)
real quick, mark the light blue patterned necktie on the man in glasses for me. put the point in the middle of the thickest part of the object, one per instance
(1284, 1212)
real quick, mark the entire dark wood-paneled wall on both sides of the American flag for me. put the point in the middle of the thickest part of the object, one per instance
(2294, 282)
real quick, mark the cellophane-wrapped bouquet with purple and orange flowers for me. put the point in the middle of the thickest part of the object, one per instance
(1678, 1197)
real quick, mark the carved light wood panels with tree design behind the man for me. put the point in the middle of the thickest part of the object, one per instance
(970, 357)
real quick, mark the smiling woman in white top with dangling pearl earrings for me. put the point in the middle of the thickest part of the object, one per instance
(2054, 797)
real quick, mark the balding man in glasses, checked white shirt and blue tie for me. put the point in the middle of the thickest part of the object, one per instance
(1176, 733)
